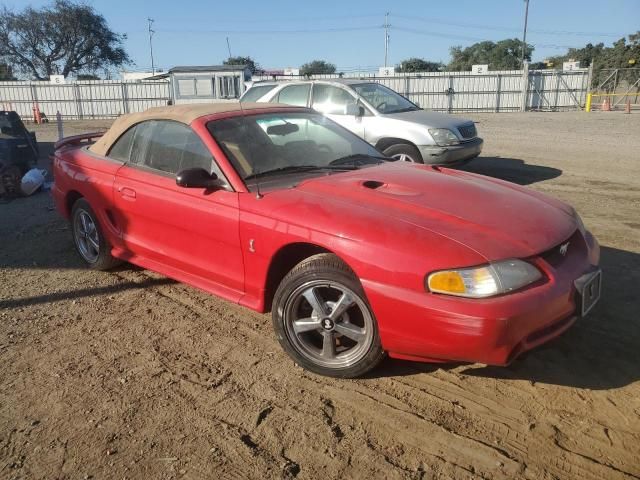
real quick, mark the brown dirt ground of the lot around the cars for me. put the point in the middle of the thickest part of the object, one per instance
(128, 374)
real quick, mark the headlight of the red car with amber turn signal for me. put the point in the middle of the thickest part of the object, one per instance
(485, 281)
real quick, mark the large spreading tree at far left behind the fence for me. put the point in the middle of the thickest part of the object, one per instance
(61, 38)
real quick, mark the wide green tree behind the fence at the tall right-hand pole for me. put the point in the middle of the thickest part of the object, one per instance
(502, 55)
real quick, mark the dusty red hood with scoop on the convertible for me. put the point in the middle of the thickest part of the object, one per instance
(494, 218)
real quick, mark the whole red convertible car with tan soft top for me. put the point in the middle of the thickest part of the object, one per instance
(278, 208)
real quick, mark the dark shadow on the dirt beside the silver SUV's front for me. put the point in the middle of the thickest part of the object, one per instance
(511, 169)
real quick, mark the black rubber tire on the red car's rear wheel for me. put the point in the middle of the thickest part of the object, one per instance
(103, 260)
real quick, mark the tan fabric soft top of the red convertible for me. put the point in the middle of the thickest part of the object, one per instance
(186, 113)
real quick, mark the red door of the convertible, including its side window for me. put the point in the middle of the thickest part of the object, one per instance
(181, 231)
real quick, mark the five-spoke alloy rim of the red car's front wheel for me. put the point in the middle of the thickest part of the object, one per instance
(328, 324)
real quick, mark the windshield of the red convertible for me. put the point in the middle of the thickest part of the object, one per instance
(288, 143)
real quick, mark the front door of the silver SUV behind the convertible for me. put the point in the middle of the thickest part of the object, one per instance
(332, 101)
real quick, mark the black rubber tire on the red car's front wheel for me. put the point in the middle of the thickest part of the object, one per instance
(328, 273)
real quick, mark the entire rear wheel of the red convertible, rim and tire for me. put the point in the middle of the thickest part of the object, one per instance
(88, 238)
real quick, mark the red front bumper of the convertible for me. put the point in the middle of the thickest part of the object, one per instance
(430, 327)
